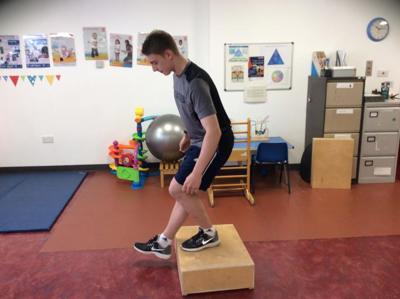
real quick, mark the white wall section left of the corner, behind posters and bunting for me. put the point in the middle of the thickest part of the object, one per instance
(89, 107)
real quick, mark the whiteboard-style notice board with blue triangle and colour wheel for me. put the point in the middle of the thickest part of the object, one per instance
(268, 63)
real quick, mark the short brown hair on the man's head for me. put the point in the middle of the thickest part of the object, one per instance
(157, 42)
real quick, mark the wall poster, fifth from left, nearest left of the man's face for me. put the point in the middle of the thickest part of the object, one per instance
(121, 50)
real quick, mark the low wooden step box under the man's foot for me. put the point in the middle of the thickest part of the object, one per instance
(225, 267)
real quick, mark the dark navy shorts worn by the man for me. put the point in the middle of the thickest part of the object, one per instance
(222, 154)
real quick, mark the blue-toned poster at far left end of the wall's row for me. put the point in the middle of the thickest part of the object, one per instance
(10, 54)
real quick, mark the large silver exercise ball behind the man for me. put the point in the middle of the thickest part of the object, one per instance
(163, 136)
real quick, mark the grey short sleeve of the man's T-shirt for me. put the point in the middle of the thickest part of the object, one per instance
(201, 98)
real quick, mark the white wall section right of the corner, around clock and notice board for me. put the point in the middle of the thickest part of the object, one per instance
(312, 25)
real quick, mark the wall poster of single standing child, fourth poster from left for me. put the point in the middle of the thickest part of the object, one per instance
(95, 43)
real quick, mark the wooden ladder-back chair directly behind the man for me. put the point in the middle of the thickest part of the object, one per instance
(238, 162)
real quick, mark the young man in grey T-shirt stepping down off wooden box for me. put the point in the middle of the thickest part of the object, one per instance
(207, 143)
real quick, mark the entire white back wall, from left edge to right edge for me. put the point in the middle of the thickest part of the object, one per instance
(90, 107)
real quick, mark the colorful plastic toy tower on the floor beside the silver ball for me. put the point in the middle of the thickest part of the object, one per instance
(129, 160)
